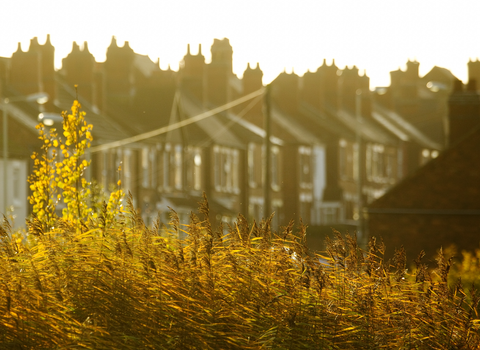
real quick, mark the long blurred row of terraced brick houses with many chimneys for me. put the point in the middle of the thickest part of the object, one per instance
(334, 146)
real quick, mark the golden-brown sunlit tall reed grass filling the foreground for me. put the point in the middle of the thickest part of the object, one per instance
(123, 285)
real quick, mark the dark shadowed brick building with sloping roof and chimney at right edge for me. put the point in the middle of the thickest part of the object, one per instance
(438, 205)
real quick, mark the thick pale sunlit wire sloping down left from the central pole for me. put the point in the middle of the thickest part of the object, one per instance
(178, 125)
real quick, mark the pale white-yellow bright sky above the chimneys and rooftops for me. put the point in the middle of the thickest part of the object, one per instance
(376, 36)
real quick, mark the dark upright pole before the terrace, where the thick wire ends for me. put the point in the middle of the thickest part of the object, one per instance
(267, 207)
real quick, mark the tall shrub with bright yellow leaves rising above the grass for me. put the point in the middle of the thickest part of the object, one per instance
(59, 174)
